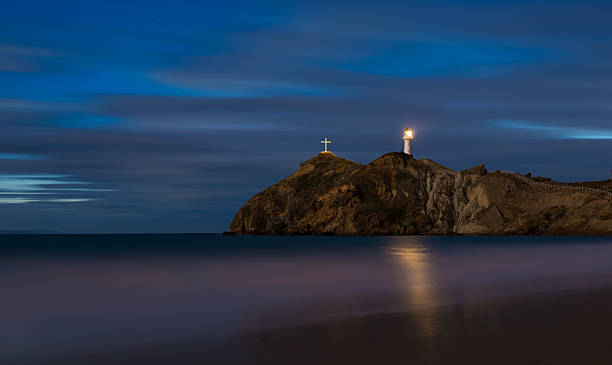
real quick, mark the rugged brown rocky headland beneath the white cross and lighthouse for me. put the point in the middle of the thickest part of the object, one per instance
(396, 194)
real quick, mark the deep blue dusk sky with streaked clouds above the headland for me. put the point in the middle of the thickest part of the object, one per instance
(167, 116)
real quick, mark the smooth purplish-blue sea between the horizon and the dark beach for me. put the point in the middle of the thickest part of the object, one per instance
(65, 296)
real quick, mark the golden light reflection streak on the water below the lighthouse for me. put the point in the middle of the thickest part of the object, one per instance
(418, 284)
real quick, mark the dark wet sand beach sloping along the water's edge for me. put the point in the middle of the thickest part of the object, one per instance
(553, 328)
